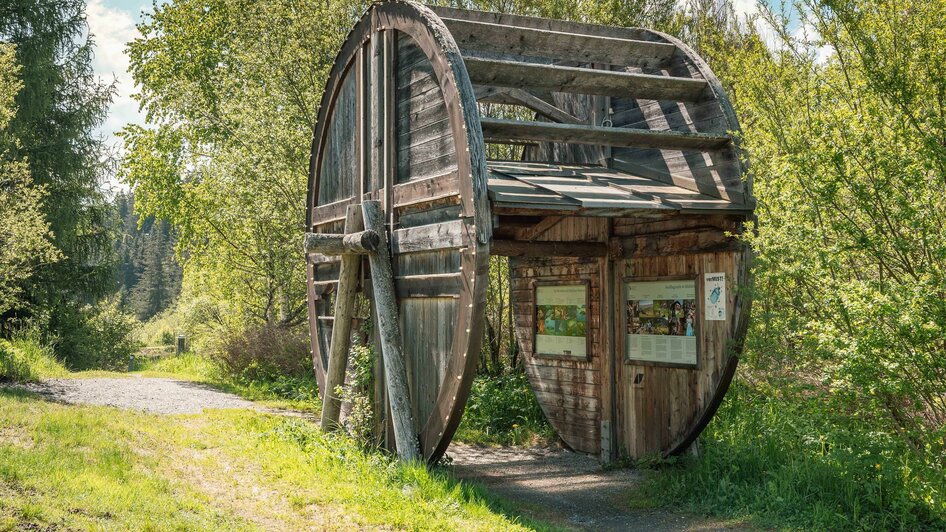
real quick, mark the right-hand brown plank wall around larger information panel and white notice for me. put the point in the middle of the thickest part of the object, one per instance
(656, 405)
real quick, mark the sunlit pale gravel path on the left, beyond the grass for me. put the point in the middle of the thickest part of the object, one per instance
(161, 396)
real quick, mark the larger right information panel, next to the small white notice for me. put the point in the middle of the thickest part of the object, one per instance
(661, 321)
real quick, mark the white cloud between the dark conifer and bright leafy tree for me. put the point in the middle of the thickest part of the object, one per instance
(112, 29)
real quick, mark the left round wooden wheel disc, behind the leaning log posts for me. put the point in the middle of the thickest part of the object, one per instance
(398, 124)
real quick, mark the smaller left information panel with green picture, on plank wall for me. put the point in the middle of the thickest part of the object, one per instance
(561, 320)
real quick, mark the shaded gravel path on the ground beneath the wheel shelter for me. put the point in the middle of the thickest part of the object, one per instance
(567, 488)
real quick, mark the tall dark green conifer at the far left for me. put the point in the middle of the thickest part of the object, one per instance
(56, 112)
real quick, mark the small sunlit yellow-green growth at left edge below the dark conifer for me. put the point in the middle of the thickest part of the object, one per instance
(24, 358)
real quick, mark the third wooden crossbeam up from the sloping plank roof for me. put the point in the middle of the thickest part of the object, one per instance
(565, 46)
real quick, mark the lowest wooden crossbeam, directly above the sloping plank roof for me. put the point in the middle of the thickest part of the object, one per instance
(497, 130)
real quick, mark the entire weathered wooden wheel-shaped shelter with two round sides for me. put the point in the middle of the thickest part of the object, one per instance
(627, 173)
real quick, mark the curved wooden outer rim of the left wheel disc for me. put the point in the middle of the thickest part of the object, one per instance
(429, 33)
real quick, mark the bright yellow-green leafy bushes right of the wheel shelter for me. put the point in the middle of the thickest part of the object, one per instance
(851, 244)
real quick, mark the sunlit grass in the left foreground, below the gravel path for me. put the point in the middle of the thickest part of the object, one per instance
(85, 467)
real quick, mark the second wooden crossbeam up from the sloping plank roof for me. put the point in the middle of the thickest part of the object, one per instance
(584, 80)
